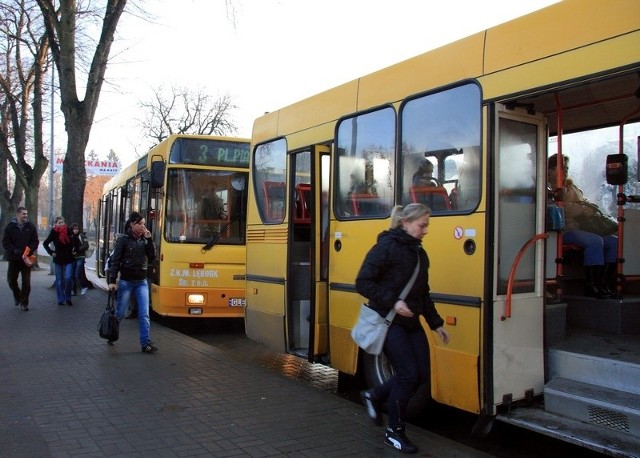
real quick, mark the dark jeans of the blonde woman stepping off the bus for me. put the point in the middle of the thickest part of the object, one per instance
(408, 352)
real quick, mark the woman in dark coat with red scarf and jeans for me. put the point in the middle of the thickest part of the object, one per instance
(63, 259)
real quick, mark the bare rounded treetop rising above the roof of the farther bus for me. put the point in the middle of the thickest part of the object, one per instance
(184, 111)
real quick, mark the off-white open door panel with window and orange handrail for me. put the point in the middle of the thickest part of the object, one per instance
(520, 184)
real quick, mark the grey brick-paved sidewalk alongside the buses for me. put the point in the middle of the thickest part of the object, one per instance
(64, 392)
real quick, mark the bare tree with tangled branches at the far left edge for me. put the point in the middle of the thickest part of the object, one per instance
(24, 49)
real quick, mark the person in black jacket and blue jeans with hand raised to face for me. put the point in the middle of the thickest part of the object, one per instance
(130, 258)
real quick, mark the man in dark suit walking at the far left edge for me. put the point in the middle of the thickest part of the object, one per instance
(19, 241)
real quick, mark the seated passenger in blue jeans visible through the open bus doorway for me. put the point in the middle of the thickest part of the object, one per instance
(600, 252)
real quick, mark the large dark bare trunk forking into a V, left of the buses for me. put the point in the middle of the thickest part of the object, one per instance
(62, 28)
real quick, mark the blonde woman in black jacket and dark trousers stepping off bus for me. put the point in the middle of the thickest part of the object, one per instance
(384, 273)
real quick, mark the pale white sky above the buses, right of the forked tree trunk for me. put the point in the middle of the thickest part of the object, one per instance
(268, 53)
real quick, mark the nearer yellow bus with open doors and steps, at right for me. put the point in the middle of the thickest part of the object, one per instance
(486, 111)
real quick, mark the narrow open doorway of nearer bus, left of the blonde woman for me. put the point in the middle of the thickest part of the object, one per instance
(306, 313)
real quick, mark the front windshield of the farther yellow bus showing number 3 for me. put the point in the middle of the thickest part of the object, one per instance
(202, 204)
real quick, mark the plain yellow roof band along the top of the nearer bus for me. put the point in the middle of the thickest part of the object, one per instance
(539, 50)
